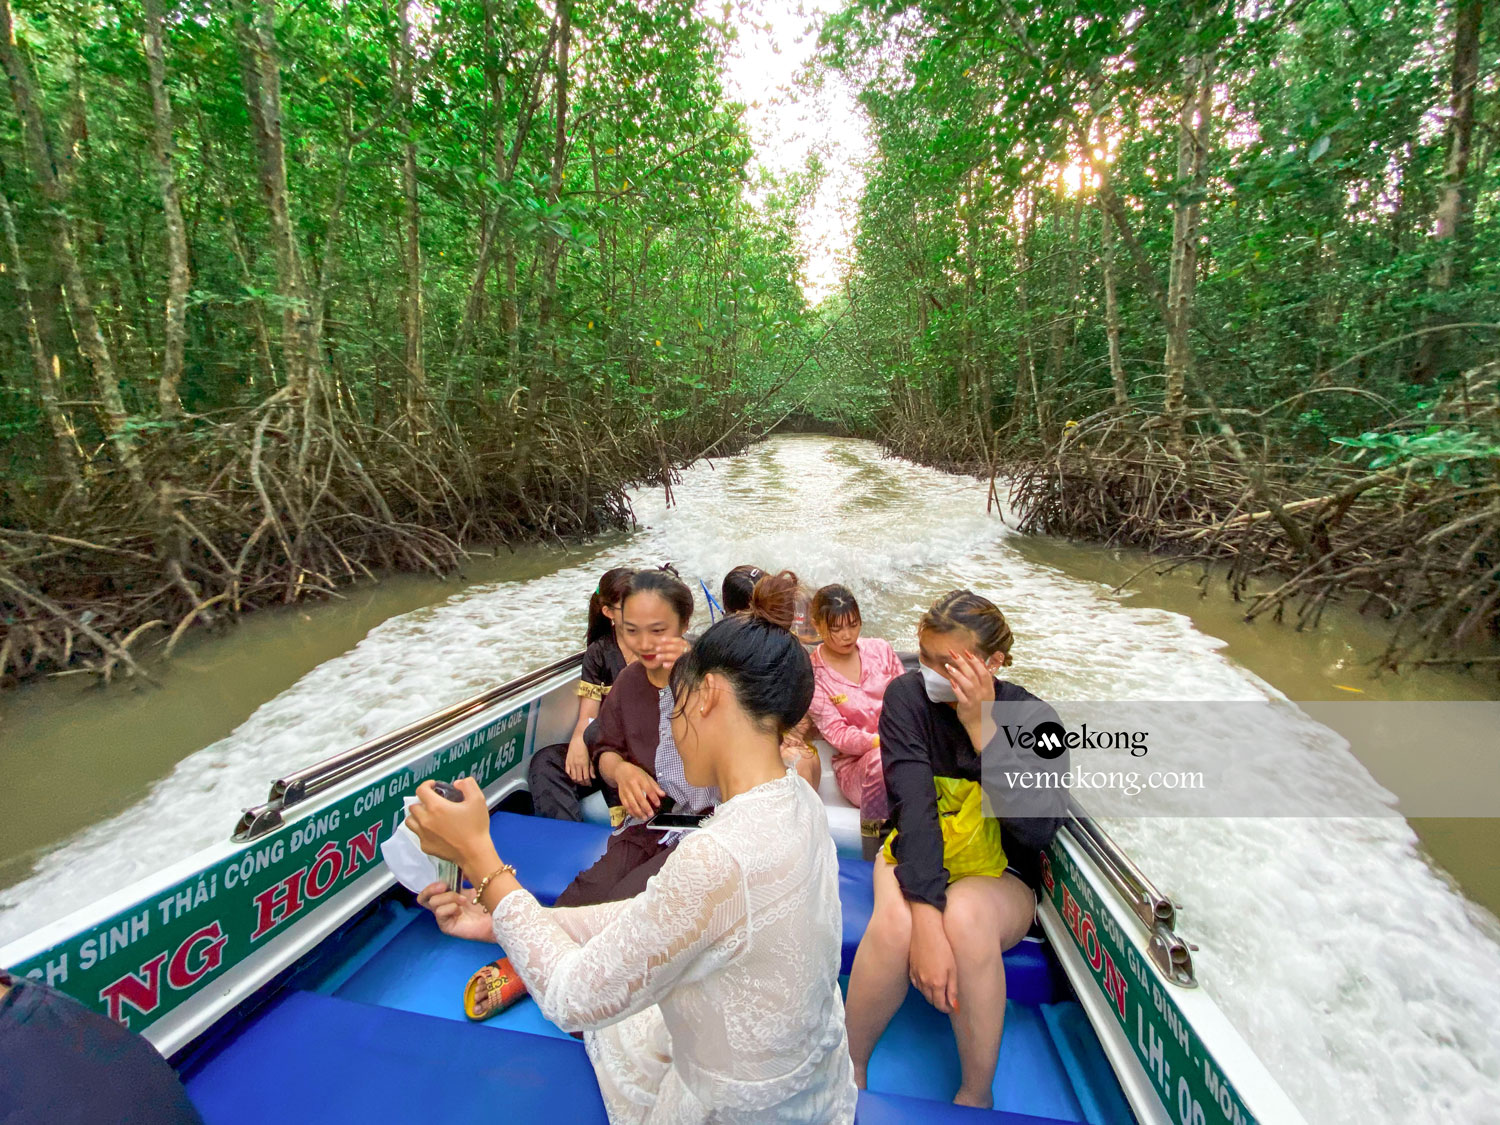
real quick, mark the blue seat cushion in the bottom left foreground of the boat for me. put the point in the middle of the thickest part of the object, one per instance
(319, 1058)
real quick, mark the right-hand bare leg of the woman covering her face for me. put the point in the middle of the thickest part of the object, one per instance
(985, 917)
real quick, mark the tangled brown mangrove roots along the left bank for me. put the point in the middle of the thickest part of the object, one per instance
(107, 586)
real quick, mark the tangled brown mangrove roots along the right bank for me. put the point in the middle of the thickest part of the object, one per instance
(1403, 524)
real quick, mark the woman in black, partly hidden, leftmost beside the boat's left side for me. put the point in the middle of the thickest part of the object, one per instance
(562, 775)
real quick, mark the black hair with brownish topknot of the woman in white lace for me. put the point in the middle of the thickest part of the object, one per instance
(757, 653)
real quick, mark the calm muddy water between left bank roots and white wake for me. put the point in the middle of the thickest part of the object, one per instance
(107, 746)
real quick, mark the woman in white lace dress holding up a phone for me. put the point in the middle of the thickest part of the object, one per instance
(715, 994)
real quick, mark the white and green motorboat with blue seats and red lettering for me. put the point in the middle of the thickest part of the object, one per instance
(286, 974)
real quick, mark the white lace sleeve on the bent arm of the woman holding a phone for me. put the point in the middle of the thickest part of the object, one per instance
(692, 911)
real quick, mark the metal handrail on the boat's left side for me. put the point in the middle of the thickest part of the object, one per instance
(331, 772)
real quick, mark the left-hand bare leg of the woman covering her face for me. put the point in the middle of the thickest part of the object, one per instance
(880, 976)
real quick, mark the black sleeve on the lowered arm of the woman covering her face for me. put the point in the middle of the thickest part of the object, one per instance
(913, 796)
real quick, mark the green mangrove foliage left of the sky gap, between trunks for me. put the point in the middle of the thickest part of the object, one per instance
(673, 304)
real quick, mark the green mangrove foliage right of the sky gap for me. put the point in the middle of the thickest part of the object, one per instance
(980, 257)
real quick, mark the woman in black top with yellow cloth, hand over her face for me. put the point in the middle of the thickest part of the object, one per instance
(952, 890)
